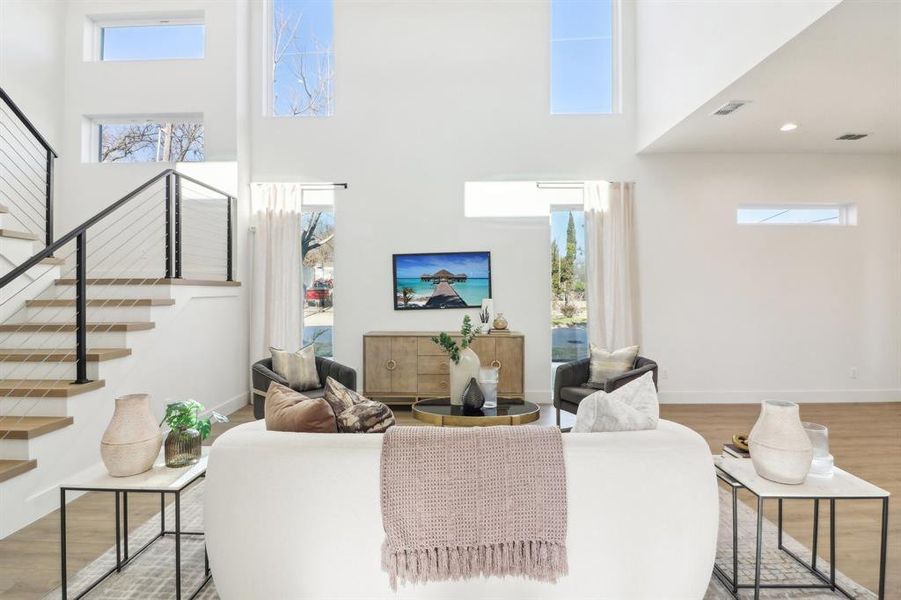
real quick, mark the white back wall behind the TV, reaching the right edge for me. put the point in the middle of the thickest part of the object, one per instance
(430, 95)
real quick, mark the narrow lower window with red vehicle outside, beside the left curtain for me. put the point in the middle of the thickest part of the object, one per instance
(318, 246)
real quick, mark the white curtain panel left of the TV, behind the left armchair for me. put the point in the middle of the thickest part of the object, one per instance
(277, 302)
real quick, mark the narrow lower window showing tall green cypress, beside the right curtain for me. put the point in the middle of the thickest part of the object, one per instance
(569, 312)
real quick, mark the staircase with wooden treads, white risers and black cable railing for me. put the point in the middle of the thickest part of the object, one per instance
(77, 312)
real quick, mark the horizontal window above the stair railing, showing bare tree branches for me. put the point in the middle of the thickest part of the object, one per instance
(164, 139)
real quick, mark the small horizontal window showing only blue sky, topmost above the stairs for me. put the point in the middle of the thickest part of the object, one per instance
(149, 39)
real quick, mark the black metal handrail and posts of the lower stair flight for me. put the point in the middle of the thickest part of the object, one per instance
(173, 256)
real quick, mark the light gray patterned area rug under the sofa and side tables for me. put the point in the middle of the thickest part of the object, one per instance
(151, 575)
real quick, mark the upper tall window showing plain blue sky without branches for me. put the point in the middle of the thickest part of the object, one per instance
(582, 57)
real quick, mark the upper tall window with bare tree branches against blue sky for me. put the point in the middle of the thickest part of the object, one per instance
(303, 60)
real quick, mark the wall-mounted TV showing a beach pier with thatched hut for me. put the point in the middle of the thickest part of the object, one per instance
(457, 280)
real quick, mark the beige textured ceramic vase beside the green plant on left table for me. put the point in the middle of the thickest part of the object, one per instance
(132, 439)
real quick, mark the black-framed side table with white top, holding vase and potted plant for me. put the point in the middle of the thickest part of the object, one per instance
(158, 480)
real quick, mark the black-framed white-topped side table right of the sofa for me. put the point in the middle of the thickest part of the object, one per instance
(738, 473)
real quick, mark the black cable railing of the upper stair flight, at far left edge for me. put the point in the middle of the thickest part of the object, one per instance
(26, 170)
